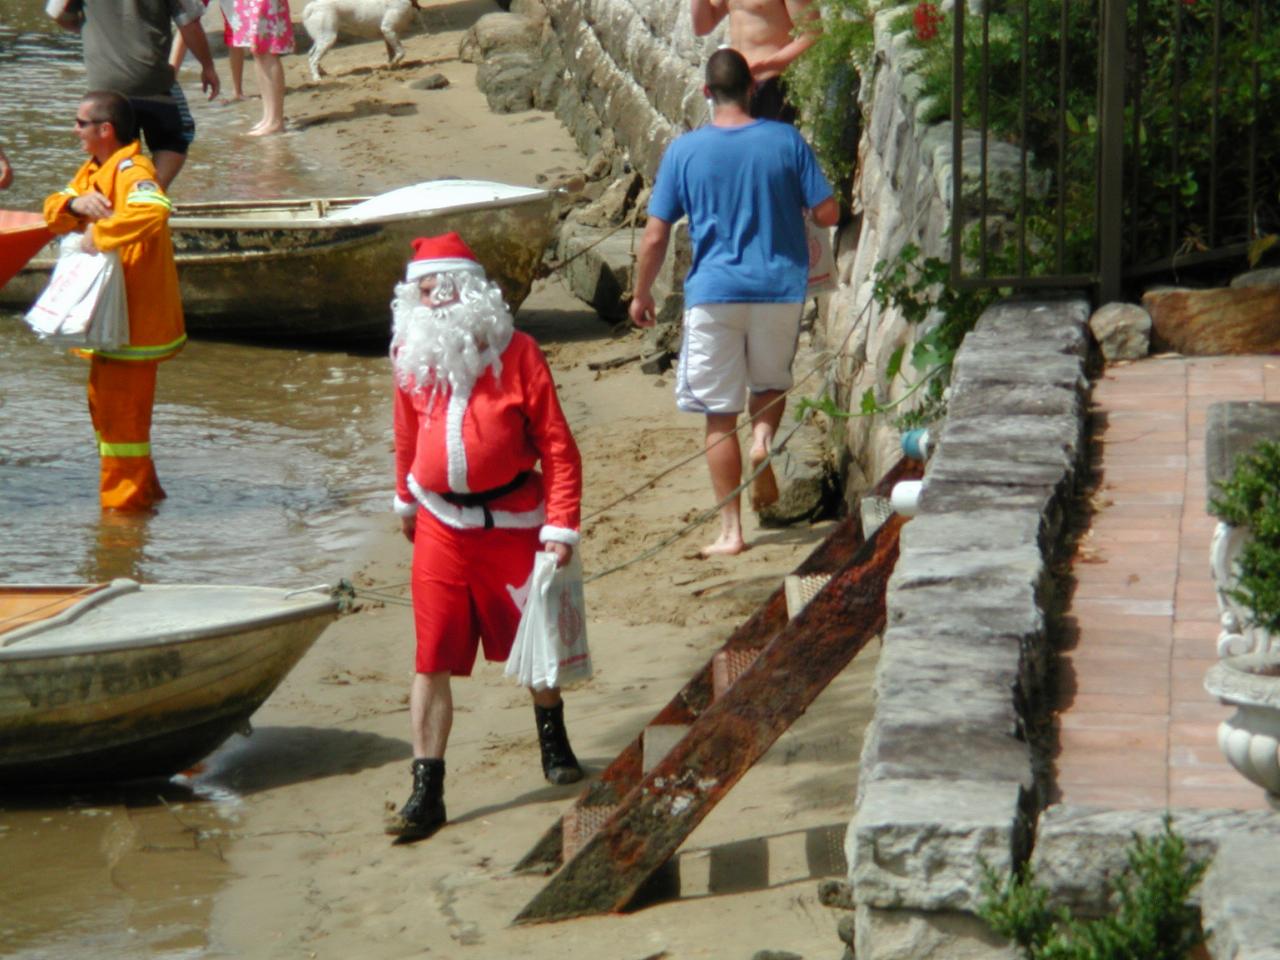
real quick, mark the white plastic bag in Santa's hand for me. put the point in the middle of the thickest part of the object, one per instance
(551, 642)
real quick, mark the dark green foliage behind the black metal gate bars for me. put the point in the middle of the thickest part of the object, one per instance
(1169, 138)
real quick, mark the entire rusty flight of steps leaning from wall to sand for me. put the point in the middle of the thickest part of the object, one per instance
(636, 816)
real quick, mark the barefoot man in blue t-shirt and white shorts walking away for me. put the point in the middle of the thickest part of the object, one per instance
(744, 185)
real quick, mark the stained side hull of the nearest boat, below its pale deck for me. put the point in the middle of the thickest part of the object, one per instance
(141, 708)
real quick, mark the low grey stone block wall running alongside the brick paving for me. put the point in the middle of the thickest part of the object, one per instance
(950, 775)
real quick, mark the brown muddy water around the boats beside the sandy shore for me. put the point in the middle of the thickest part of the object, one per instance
(276, 461)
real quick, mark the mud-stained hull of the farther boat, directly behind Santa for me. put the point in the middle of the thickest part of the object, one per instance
(285, 272)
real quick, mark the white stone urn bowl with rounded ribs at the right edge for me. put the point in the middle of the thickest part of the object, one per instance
(1251, 738)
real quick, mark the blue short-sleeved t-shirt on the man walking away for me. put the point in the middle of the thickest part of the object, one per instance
(744, 190)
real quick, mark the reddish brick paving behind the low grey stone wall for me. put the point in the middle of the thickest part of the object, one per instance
(1136, 728)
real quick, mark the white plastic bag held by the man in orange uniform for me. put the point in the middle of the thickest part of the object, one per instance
(85, 303)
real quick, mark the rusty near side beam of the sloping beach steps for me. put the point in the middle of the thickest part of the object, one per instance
(726, 739)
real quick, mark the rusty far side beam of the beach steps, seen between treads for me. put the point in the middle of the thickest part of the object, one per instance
(625, 772)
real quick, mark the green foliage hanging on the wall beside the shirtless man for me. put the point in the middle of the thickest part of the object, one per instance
(824, 84)
